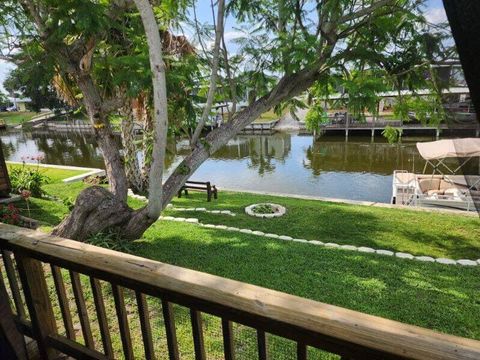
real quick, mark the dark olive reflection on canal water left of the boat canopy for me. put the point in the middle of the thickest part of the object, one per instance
(352, 156)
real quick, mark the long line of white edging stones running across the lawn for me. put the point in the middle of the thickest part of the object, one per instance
(363, 249)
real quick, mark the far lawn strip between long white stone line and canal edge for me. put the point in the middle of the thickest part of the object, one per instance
(419, 233)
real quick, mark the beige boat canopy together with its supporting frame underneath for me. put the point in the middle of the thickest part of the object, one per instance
(435, 152)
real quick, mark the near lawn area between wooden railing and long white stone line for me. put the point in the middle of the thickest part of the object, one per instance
(443, 298)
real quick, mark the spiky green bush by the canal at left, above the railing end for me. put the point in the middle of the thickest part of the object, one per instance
(27, 178)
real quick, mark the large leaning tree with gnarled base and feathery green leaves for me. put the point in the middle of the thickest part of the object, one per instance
(99, 55)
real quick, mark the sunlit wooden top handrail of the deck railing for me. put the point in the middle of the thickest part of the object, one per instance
(308, 322)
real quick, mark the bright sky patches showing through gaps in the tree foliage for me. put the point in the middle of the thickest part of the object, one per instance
(435, 13)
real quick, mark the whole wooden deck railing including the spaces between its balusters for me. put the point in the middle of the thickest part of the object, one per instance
(45, 265)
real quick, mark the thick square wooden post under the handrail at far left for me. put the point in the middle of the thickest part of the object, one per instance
(38, 302)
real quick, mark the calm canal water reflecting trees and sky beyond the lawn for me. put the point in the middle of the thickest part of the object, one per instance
(357, 169)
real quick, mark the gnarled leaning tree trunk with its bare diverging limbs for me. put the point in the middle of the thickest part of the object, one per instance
(98, 209)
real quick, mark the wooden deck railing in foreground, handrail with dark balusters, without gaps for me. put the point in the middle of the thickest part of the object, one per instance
(307, 323)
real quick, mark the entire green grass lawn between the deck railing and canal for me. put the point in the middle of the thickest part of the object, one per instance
(440, 297)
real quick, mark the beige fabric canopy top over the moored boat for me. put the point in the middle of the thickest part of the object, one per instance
(451, 148)
